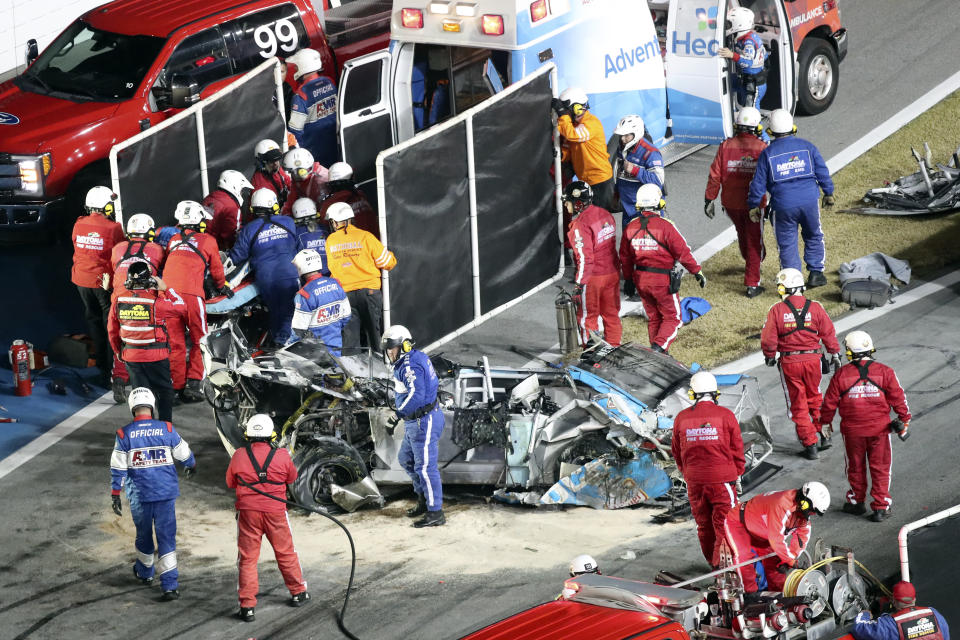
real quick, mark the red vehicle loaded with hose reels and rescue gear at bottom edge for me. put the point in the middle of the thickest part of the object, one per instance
(821, 598)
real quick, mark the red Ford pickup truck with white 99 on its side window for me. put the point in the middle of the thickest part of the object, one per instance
(128, 65)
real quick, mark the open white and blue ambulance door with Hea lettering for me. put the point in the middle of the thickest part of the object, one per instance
(698, 86)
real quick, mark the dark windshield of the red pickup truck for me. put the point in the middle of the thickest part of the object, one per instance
(88, 63)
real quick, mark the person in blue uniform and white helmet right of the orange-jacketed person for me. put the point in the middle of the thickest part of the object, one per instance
(638, 163)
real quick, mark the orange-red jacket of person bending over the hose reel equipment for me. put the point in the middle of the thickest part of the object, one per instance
(774, 517)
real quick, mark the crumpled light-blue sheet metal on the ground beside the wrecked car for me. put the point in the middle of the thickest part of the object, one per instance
(610, 482)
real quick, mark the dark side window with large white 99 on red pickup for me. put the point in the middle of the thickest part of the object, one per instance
(277, 31)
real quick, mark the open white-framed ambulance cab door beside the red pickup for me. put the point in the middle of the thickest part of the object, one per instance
(365, 112)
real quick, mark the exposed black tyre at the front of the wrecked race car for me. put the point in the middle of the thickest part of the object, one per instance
(322, 463)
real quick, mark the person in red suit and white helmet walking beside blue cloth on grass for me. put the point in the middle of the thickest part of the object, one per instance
(648, 250)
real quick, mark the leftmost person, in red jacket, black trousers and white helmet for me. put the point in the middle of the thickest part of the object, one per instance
(94, 236)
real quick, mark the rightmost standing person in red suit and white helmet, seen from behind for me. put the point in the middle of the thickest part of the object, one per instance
(863, 392)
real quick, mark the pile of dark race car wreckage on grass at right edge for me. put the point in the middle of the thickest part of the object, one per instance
(929, 190)
